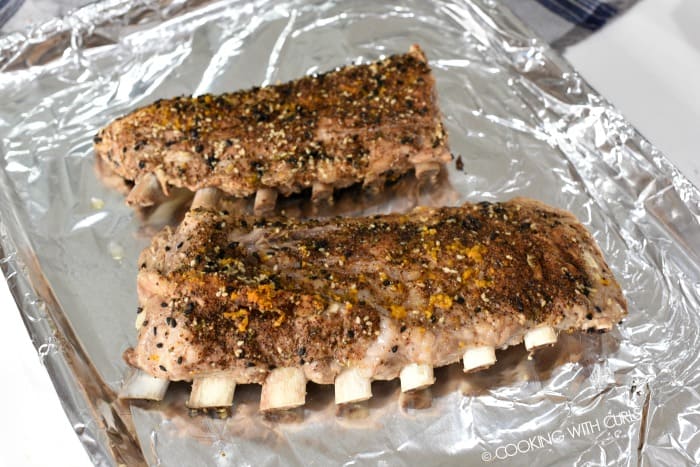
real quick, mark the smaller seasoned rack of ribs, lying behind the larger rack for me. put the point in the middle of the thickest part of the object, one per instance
(358, 124)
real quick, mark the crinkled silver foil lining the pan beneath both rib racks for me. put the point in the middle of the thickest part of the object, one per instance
(522, 122)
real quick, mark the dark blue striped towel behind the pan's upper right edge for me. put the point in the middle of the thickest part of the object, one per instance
(565, 22)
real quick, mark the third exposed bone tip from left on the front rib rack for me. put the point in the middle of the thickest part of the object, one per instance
(284, 388)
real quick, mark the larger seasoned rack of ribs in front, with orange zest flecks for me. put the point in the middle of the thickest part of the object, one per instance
(228, 300)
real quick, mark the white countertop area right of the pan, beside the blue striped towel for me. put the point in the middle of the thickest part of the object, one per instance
(647, 63)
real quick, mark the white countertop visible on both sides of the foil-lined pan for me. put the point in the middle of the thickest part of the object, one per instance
(647, 63)
